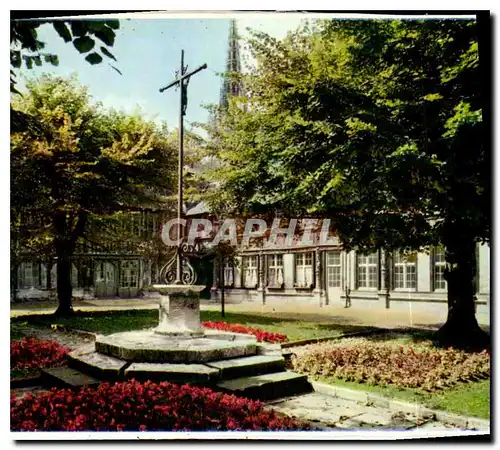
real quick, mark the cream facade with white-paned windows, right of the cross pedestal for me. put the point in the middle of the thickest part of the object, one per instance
(327, 275)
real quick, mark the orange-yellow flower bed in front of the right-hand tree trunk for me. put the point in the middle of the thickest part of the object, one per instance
(419, 366)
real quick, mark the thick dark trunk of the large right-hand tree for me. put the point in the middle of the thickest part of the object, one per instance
(461, 329)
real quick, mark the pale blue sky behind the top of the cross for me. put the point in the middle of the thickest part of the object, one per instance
(148, 54)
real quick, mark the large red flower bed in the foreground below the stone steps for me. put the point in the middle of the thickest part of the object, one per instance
(145, 406)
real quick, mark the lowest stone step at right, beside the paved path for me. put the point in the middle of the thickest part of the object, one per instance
(268, 386)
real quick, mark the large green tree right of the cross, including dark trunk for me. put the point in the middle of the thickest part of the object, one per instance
(378, 125)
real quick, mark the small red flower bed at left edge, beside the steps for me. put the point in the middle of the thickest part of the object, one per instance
(29, 354)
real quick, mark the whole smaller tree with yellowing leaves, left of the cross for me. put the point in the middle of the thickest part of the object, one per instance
(83, 166)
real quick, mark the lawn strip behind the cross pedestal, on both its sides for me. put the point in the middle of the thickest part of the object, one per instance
(114, 322)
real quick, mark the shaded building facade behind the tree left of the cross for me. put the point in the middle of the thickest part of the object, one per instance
(107, 269)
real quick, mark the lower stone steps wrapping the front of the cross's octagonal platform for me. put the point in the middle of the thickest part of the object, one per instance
(261, 376)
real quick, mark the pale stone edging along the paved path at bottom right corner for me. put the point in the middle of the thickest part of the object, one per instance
(397, 405)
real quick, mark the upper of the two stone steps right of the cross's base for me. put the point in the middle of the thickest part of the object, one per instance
(248, 366)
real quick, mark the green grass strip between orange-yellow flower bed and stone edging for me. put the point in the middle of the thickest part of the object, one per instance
(468, 399)
